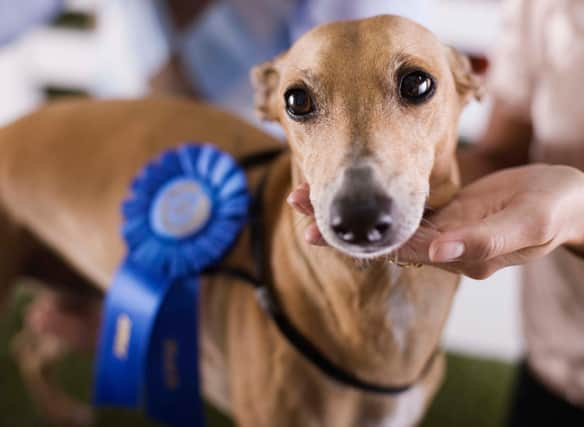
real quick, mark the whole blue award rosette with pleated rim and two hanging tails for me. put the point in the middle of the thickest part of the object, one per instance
(185, 212)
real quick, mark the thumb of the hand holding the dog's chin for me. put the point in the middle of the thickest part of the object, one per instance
(501, 233)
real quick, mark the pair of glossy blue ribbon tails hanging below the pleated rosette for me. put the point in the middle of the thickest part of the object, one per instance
(149, 347)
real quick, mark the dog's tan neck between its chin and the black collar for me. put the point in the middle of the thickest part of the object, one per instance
(362, 315)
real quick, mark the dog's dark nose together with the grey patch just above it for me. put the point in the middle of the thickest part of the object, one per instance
(361, 214)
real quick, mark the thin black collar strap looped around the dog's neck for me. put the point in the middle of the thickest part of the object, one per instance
(272, 307)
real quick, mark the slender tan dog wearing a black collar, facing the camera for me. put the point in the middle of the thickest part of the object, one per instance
(370, 109)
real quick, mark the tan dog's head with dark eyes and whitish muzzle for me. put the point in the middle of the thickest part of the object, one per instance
(370, 109)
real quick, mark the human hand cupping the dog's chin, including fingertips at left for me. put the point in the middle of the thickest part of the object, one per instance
(506, 218)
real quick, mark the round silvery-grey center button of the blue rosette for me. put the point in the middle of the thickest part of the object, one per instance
(180, 209)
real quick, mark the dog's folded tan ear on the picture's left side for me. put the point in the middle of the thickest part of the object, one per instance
(265, 78)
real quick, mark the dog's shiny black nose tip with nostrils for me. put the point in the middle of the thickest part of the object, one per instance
(362, 219)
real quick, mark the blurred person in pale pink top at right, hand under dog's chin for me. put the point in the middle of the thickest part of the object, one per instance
(510, 214)
